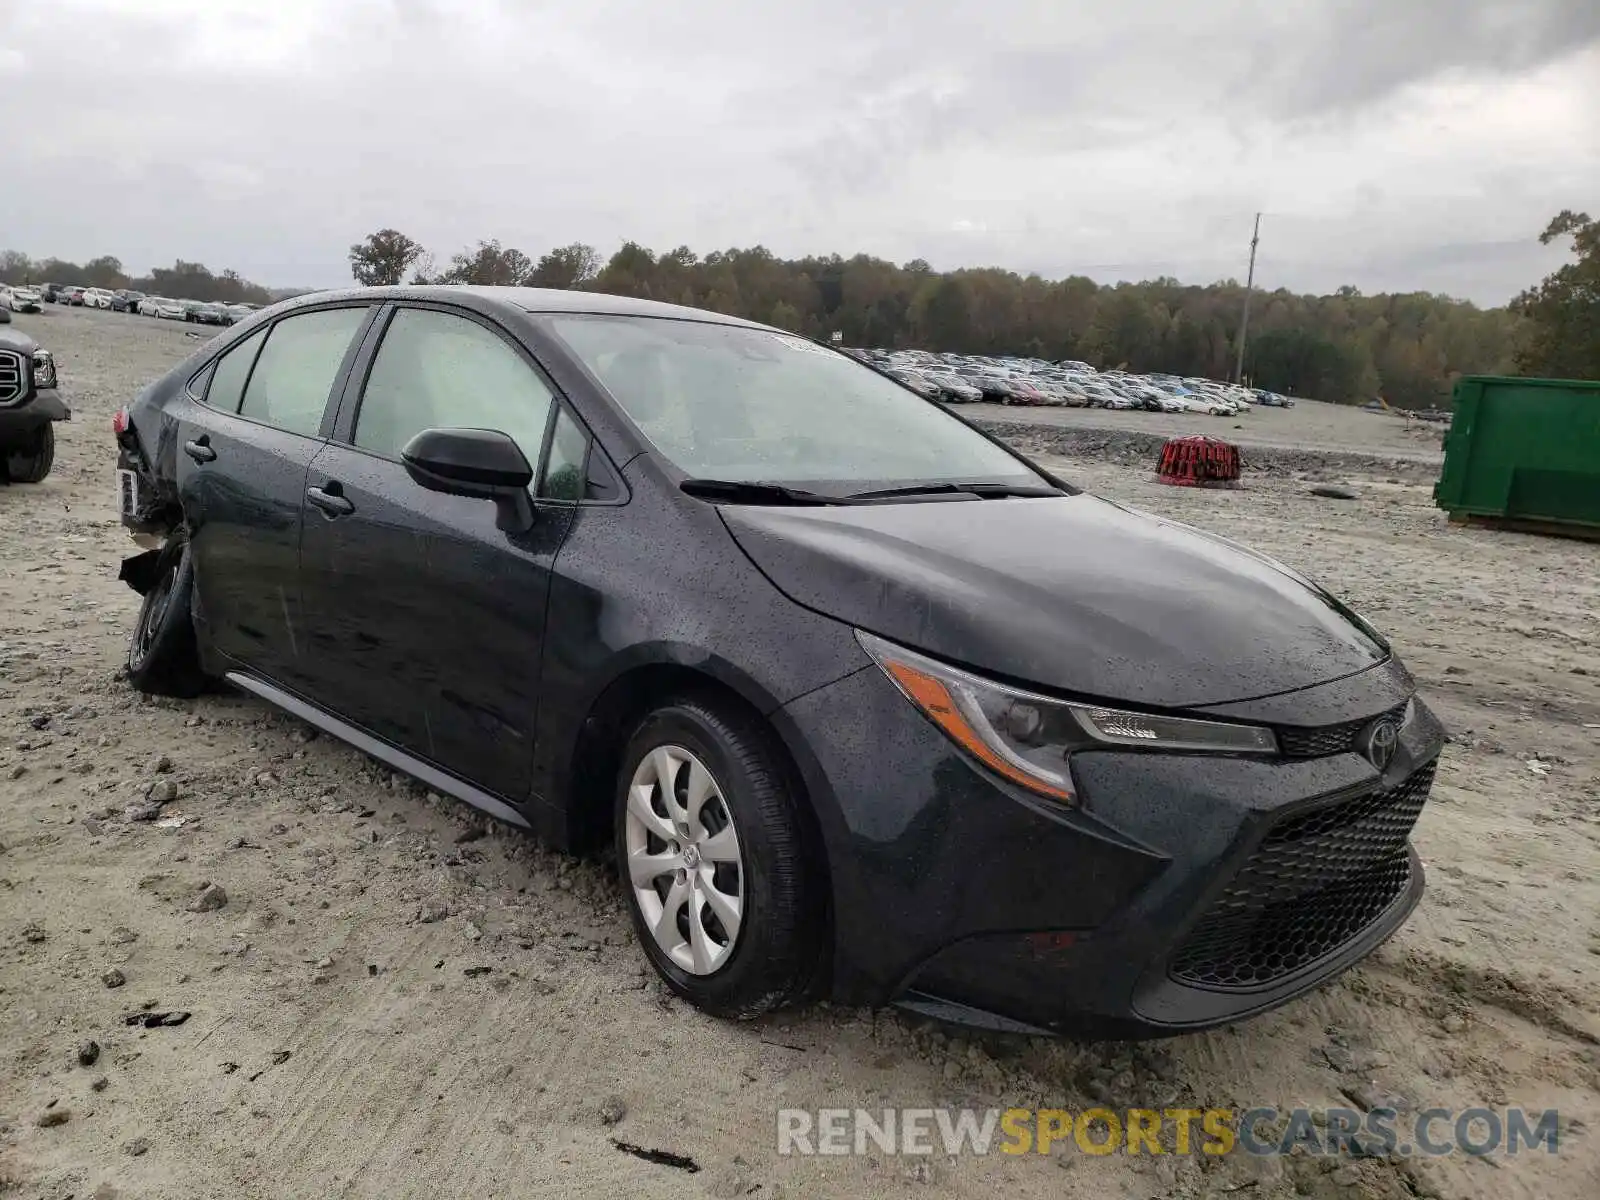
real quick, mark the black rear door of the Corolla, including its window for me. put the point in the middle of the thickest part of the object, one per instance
(257, 420)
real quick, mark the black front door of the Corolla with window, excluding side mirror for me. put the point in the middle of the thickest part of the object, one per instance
(428, 620)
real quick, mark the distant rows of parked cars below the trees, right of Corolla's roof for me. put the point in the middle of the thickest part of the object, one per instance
(969, 378)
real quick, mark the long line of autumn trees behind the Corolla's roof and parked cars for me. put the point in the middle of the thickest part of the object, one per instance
(1409, 348)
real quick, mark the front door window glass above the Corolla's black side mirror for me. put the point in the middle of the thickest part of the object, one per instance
(436, 370)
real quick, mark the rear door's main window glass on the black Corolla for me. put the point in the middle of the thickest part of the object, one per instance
(297, 369)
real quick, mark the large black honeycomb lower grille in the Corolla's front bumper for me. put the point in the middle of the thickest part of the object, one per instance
(1316, 882)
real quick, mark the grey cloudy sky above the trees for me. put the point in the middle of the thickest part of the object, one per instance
(1394, 145)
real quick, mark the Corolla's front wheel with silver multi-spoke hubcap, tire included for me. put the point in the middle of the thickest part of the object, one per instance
(713, 854)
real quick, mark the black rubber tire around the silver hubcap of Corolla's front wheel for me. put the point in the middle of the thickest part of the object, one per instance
(777, 954)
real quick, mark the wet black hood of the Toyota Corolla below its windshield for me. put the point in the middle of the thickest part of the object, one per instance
(1073, 594)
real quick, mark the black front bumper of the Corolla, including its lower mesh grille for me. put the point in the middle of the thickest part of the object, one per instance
(1132, 914)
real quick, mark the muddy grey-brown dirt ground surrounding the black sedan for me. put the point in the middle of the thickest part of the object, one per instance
(399, 999)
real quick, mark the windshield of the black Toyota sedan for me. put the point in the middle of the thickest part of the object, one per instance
(751, 406)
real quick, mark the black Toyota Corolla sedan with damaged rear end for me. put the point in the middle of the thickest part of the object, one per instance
(862, 703)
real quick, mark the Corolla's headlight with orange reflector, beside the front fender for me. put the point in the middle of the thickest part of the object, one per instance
(1028, 738)
